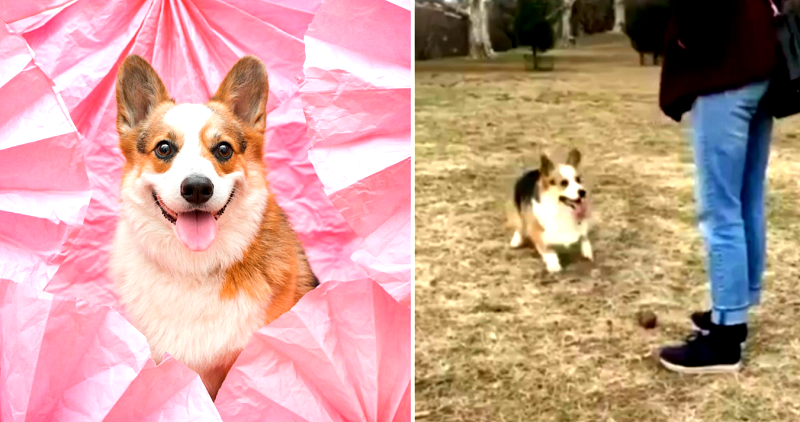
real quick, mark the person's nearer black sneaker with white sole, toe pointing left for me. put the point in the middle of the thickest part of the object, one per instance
(716, 352)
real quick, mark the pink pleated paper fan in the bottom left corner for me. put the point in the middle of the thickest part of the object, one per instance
(65, 360)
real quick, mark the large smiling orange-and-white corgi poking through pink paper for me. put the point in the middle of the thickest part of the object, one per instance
(203, 256)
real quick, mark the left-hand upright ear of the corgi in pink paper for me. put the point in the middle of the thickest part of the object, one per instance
(139, 91)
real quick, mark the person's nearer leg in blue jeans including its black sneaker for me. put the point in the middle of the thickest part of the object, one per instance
(722, 132)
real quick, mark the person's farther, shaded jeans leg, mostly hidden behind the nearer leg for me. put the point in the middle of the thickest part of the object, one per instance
(753, 192)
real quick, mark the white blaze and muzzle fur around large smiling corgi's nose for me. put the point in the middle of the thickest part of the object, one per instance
(188, 120)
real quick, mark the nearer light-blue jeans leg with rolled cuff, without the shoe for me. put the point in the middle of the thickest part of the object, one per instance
(721, 125)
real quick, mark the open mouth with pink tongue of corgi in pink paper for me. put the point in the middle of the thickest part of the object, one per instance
(196, 229)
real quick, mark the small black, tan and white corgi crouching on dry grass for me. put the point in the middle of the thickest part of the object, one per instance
(552, 210)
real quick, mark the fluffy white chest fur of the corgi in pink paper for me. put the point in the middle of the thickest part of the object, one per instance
(183, 315)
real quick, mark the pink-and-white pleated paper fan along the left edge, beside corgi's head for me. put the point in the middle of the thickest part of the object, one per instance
(44, 191)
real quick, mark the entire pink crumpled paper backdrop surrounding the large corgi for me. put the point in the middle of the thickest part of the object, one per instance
(343, 90)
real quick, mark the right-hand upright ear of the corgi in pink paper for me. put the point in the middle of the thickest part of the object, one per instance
(244, 91)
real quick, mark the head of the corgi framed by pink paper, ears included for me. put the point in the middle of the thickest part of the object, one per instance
(188, 167)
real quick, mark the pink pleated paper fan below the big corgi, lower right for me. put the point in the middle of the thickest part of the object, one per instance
(343, 353)
